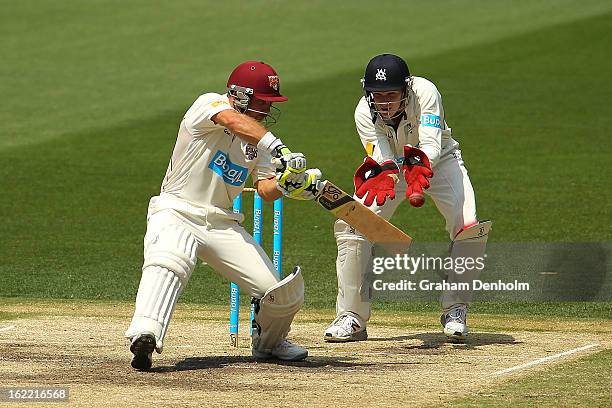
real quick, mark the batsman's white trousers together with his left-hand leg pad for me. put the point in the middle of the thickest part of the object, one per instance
(176, 234)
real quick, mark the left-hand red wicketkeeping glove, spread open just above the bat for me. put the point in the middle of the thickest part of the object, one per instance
(379, 184)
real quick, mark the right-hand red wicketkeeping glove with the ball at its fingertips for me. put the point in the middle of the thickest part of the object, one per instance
(417, 171)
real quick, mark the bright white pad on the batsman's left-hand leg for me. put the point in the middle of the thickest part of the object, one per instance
(169, 261)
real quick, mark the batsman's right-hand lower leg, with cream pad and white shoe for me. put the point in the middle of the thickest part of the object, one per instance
(273, 316)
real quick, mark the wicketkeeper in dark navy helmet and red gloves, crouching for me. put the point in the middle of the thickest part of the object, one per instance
(410, 152)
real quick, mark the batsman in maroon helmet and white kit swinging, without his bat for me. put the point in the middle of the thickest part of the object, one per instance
(221, 140)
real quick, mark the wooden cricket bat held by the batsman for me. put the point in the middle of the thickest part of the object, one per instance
(374, 227)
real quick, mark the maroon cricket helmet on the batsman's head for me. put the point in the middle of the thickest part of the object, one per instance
(259, 78)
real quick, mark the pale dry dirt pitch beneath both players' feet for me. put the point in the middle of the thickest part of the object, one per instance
(396, 367)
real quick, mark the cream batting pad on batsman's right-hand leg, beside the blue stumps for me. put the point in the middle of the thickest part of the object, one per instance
(275, 311)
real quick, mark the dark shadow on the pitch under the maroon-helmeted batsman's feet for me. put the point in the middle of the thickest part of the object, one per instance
(204, 363)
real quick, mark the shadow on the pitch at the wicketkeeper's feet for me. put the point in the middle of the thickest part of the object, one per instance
(437, 340)
